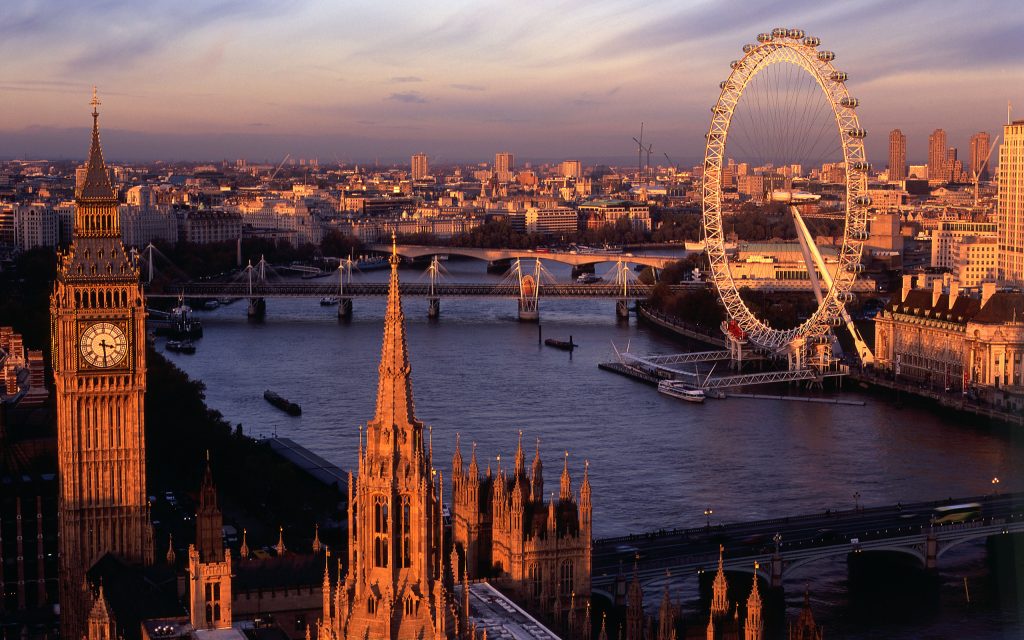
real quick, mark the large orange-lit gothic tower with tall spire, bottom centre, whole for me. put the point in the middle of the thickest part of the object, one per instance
(395, 587)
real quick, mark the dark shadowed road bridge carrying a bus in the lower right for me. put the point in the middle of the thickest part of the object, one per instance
(782, 545)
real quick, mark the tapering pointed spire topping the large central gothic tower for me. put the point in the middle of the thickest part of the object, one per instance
(395, 391)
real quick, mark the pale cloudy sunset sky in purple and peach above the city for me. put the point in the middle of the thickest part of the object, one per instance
(459, 80)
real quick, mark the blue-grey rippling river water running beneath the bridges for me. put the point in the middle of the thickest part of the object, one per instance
(656, 462)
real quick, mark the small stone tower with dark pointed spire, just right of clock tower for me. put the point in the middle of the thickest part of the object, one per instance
(209, 564)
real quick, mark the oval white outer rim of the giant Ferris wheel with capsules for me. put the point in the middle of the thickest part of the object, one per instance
(780, 48)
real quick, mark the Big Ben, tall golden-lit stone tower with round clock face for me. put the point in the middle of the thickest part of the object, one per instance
(98, 329)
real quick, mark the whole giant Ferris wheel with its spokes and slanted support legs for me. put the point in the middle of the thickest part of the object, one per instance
(784, 110)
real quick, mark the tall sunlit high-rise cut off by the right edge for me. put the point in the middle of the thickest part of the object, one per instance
(1010, 218)
